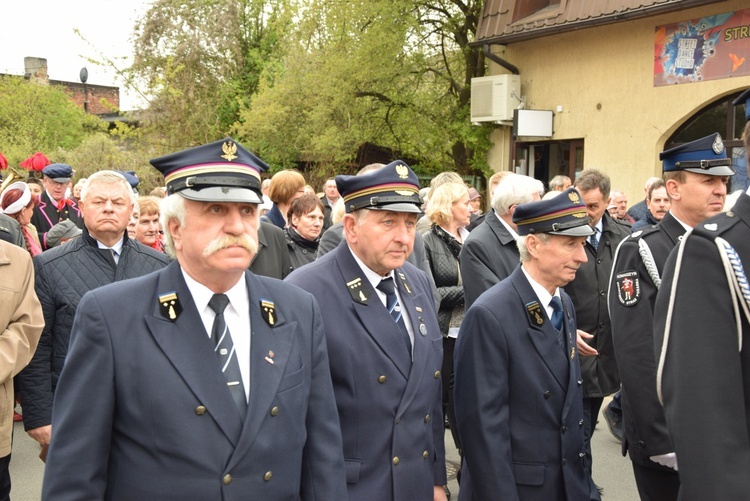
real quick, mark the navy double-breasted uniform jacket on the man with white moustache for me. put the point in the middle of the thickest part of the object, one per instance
(142, 410)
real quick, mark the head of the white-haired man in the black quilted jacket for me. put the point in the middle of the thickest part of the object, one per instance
(106, 210)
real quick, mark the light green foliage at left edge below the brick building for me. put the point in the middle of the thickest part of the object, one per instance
(36, 117)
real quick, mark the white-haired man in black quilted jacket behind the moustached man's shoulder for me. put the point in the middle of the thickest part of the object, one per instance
(102, 255)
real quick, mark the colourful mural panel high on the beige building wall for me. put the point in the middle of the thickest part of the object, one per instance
(709, 48)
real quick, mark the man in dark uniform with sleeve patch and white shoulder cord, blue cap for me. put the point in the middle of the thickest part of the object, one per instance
(696, 176)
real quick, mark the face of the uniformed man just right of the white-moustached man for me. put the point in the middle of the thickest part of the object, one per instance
(381, 239)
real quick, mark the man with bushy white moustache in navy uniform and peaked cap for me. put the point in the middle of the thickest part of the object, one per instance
(215, 385)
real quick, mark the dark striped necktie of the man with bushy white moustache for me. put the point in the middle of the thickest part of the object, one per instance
(224, 349)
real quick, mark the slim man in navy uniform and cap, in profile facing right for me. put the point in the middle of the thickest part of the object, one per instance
(518, 389)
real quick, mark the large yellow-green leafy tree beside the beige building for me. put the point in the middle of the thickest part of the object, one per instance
(391, 73)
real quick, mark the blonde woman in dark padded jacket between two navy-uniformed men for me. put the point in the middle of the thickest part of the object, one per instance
(450, 212)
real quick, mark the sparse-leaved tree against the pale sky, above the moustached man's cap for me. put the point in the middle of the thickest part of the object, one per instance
(200, 61)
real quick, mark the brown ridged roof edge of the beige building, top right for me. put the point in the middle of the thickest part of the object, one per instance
(496, 23)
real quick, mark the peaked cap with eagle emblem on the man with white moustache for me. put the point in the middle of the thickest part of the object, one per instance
(222, 171)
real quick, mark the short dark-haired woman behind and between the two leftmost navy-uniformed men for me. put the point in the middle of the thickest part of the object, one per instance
(305, 218)
